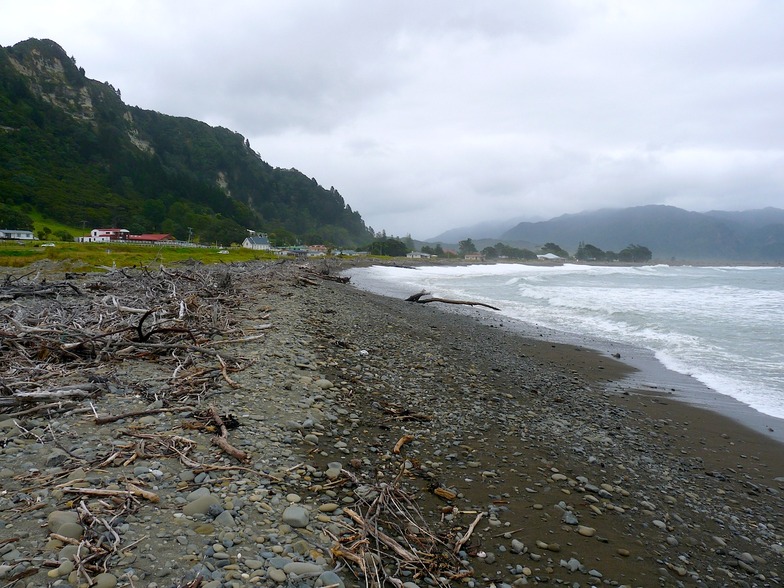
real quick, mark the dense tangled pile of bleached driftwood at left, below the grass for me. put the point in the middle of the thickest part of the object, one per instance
(54, 335)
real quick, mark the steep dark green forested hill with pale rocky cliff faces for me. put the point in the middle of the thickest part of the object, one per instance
(71, 149)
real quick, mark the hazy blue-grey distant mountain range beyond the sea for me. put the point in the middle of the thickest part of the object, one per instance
(669, 232)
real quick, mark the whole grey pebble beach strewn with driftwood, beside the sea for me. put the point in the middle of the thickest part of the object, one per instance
(306, 433)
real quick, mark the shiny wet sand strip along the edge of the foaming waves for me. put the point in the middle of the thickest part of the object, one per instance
(647, 375)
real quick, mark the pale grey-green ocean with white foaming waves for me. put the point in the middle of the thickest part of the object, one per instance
(720, 326)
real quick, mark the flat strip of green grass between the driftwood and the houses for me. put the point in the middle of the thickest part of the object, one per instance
(98, 256)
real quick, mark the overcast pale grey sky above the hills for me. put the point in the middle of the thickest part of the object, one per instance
(431, 115)
